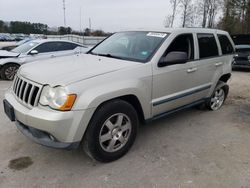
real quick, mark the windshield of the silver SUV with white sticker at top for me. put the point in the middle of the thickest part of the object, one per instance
(135, 46)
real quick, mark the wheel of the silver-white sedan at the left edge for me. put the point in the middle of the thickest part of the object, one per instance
(9, 71)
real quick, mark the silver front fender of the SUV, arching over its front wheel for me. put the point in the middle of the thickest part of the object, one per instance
(95, 96)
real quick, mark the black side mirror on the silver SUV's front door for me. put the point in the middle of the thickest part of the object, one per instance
(173, 58)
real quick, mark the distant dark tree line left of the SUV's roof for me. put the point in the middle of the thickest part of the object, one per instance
(40, 28)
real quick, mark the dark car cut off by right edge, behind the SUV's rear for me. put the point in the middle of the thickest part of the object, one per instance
(242, 45)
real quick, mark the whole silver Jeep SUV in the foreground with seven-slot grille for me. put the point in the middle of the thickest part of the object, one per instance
(97, 100)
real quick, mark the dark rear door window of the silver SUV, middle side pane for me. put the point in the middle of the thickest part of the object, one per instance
(207, 45)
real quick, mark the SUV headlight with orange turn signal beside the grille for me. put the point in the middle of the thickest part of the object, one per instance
(57, 98)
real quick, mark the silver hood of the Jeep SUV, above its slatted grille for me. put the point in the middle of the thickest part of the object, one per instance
(70, 69)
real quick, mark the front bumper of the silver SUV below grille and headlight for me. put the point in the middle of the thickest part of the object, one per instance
(49, 127)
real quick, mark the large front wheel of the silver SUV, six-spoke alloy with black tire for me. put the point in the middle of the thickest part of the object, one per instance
(111, 132)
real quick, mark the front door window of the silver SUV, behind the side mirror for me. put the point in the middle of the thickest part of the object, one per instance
(182, 43)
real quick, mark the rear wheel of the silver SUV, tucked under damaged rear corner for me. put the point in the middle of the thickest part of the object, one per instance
(216, 101)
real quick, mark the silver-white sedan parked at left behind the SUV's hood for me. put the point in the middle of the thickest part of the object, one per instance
(35, 50)
